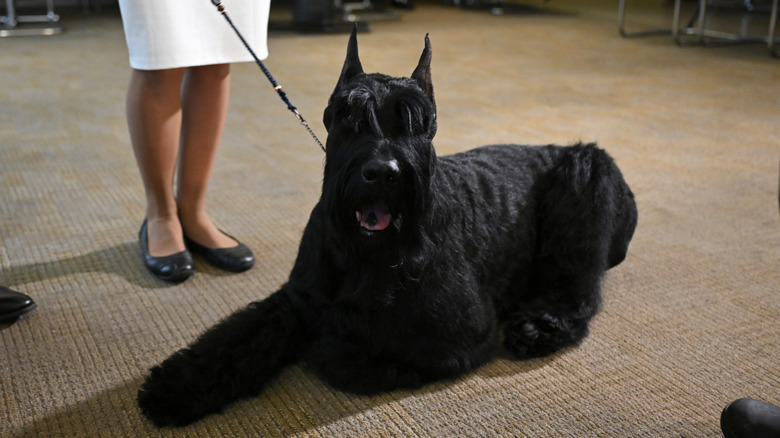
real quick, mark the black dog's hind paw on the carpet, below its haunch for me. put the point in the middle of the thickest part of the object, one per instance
(540, 335)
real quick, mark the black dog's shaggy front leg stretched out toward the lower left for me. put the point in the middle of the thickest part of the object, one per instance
(234, 359)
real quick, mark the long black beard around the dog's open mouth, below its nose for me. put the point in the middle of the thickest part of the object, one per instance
(384, 226)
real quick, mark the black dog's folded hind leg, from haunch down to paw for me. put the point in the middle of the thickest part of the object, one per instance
(579, 212)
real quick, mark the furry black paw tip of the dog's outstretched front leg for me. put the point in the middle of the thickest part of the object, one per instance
(173, 394)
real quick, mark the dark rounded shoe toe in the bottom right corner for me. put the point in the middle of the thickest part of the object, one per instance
(748, 417)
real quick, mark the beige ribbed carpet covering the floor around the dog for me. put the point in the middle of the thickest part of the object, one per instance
(691, 319)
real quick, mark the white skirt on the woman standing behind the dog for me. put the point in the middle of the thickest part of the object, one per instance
(165, 34)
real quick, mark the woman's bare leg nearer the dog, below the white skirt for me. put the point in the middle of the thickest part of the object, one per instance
(204, 101)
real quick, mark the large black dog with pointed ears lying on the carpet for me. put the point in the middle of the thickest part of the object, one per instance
(413, 268)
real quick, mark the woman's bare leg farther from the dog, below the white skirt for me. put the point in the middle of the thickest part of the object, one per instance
(154, 119)
